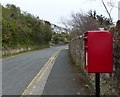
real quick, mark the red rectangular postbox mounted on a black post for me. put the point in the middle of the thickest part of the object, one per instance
(98, 52)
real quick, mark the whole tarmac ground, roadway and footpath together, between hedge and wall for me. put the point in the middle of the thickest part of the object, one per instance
(42, 72)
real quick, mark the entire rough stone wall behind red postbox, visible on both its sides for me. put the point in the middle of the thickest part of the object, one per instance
(110, 83)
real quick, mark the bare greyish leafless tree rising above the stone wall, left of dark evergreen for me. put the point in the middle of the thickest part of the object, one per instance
(81, 23)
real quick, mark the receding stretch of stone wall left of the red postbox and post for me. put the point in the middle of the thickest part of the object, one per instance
(77, 54)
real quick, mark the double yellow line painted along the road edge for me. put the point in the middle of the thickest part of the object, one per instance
(42, 71)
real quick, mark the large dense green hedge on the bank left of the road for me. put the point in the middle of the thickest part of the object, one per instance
(23, 29)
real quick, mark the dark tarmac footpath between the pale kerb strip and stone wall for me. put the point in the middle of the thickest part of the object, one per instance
(62, 79)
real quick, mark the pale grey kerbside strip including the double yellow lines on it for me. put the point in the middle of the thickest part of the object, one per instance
(37, 85)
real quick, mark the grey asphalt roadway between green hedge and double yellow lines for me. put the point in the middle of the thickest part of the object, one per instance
(17, 72)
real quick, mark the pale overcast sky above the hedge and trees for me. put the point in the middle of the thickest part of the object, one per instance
(54, 10)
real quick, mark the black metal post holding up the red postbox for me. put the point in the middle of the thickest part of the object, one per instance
(97, 83)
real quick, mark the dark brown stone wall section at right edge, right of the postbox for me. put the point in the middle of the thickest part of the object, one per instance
(116, 56)
